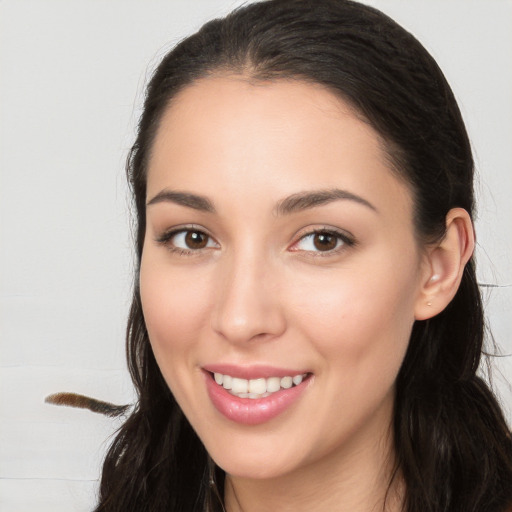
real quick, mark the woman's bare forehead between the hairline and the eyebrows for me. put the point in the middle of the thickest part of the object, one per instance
(275, 138)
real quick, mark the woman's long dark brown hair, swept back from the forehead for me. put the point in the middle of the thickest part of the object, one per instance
(453, 446)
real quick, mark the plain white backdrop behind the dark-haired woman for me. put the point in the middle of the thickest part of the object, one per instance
(72, 74)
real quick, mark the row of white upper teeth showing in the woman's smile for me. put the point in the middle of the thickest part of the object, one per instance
(256, 388)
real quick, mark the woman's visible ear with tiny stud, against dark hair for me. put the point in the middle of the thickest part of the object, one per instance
(444, 265)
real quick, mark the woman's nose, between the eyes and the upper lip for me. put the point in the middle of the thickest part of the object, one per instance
(248, 307)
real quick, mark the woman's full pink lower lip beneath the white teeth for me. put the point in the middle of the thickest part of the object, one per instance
(252, 411)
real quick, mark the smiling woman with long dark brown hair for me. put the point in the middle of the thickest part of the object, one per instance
(306, 324)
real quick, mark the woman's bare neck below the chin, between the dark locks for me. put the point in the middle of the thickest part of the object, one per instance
(359, 480)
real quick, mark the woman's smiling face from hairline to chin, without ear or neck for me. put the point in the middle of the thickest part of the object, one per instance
(279, 274)
